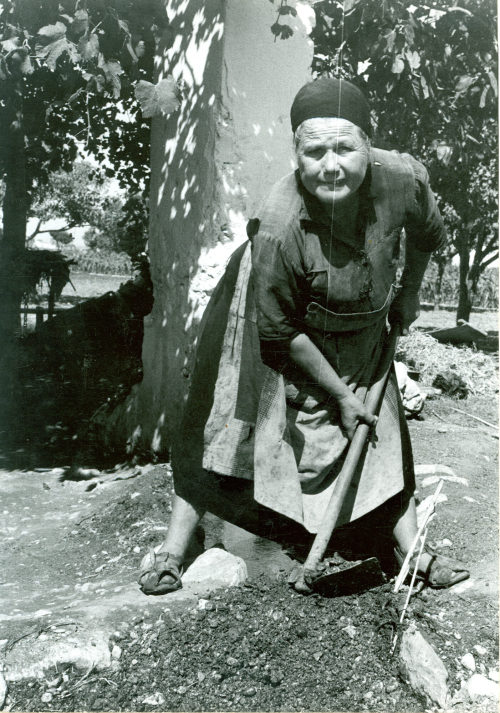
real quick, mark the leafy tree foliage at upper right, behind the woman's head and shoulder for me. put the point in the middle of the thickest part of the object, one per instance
(430, 73)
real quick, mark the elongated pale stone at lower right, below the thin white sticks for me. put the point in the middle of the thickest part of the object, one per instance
(422, 667)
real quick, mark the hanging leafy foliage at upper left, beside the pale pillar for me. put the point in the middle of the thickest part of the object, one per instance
(78, 59)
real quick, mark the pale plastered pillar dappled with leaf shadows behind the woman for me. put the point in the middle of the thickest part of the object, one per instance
(213, 161)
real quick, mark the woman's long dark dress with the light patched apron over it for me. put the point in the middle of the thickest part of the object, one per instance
(251, 414)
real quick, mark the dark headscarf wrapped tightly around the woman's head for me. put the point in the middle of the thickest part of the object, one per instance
(334, 98)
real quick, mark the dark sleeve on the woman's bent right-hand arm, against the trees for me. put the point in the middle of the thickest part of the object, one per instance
(424, 226)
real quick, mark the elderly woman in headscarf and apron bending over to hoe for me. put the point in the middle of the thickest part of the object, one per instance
(289, 338)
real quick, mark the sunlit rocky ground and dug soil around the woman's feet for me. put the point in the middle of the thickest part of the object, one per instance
(76, 633)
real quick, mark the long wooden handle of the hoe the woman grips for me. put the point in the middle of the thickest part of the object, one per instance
(345, 476)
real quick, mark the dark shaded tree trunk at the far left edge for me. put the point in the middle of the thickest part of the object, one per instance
(12, 246)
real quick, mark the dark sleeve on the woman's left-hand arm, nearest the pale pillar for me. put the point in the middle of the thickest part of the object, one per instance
(278, 282)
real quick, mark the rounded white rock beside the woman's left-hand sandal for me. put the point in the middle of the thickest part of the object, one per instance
(216, 568)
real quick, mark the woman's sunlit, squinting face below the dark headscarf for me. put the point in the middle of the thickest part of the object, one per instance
(332, 156)
